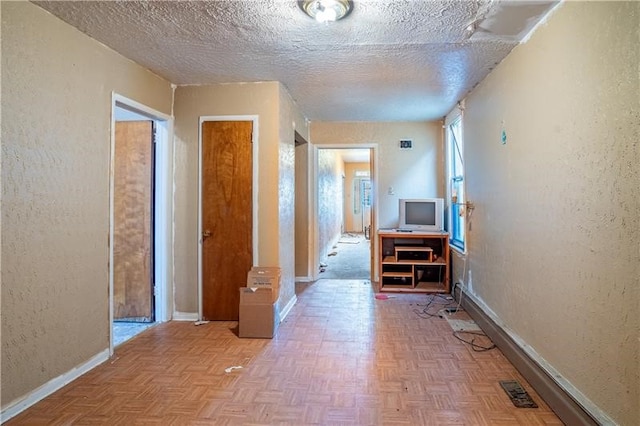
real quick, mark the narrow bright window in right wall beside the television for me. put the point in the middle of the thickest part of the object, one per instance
(455, 175)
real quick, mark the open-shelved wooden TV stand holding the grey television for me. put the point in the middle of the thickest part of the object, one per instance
(415, 262)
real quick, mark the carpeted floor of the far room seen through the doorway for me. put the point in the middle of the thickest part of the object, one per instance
(351, 259)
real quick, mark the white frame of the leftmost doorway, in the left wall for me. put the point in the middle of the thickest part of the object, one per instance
(163, 208)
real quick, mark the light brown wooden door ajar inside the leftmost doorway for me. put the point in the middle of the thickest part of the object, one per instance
(133, 222)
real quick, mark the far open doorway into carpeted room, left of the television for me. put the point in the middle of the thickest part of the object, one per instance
(345, 212)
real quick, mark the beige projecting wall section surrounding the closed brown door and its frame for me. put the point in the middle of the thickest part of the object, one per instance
(278, 119)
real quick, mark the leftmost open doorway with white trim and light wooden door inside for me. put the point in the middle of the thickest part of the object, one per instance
(140, 219)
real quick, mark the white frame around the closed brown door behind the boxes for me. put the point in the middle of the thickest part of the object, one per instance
(254, 188)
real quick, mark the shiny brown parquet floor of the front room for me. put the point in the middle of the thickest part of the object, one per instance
(341, 357)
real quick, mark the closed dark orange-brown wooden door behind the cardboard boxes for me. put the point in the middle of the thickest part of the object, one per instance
(227, 204)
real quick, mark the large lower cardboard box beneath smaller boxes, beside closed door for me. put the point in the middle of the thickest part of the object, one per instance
(257, 313)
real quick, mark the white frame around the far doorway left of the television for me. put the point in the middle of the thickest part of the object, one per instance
(373, 164)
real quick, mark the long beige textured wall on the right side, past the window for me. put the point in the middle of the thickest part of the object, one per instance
(553, 249)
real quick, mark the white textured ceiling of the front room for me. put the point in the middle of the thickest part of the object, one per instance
(387, 61)
